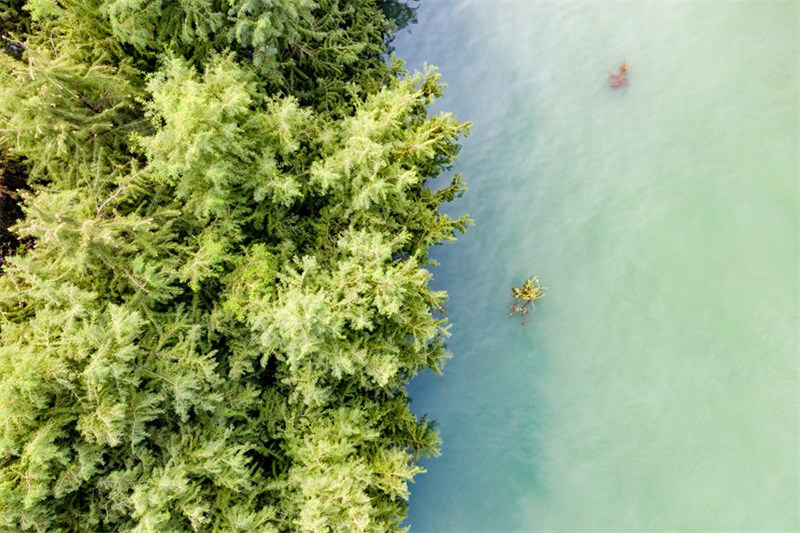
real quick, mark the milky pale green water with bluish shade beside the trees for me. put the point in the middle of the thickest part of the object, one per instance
(657, 387)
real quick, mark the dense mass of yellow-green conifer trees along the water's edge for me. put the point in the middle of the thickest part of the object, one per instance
(216, 219)
